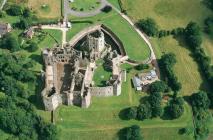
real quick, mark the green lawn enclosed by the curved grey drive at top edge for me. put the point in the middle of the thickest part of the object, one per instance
(85, 5)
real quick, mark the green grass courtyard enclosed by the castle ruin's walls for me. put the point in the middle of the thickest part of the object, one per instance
(101, 76)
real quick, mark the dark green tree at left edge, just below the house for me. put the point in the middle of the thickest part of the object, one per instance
(10, 42)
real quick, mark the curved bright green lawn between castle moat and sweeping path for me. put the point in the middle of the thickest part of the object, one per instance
(135, 47)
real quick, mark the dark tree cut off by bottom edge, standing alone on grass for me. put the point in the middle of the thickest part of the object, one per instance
(133, 133)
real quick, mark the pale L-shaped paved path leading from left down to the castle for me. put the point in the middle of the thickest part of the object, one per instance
(56, 27)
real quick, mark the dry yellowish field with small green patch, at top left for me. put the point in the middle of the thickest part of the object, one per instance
(46, 8)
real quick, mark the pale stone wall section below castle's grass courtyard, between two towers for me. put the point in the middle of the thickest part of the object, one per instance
(101, 91)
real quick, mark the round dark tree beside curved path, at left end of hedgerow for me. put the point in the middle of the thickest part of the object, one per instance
(148, 26)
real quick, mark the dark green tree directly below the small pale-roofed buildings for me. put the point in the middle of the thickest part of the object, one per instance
(158, 86)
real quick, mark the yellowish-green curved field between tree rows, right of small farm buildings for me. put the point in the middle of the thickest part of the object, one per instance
(186, 68)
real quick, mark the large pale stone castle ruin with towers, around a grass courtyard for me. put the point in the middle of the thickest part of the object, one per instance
(69, 72)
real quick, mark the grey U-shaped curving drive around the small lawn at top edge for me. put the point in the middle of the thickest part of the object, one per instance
(69, 11)
